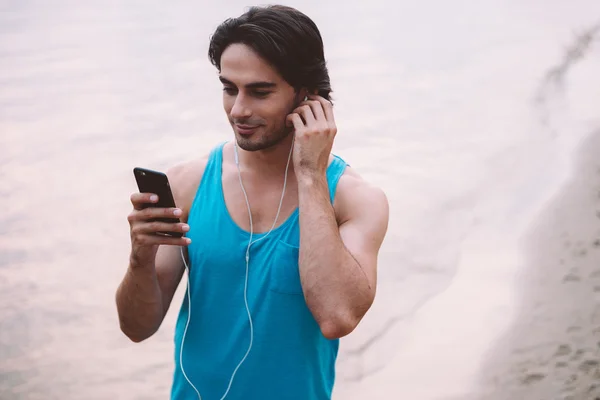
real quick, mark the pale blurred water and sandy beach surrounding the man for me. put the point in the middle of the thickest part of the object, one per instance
(479, 119)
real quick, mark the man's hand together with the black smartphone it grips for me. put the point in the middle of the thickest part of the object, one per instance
(155, 218)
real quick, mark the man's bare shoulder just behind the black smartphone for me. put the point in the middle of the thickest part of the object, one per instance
(185, 179)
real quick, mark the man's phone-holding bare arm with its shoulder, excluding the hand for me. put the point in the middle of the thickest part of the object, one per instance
(147, 289)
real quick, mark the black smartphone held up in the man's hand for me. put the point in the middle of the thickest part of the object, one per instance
(156, 182)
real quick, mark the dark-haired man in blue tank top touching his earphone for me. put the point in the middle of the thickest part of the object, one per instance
(282, 237)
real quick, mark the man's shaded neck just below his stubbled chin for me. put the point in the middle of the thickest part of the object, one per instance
(271, 161)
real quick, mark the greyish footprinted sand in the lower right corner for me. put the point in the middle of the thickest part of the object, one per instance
(553, 349)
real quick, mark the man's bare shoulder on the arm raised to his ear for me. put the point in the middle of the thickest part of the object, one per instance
(357, 198)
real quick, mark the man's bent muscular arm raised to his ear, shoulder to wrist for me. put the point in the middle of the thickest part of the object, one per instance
(338, 260)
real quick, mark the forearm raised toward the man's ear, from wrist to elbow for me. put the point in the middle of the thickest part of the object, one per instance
(336, 288)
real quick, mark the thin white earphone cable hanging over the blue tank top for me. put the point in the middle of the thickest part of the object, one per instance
(250, 243)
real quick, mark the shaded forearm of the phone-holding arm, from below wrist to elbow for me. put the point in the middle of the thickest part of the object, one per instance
(139, 303)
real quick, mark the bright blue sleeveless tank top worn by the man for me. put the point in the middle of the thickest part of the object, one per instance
(290, 358)
